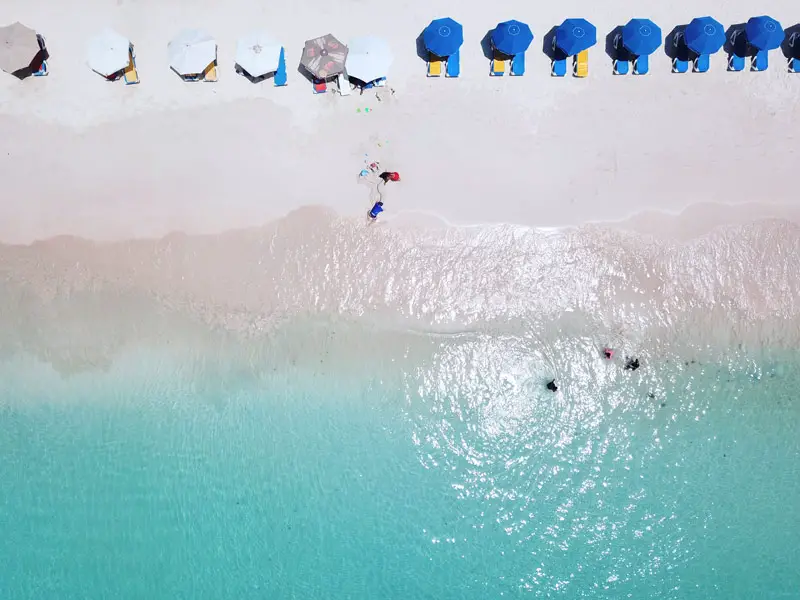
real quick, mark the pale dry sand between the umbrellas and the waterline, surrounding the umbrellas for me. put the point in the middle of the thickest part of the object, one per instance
(82, 156)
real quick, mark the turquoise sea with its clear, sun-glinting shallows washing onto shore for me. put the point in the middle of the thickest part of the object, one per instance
(298, 425)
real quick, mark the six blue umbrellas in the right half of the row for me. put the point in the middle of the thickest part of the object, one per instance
(704, 35)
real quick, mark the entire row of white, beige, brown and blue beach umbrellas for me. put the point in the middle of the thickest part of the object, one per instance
(368, 58)
